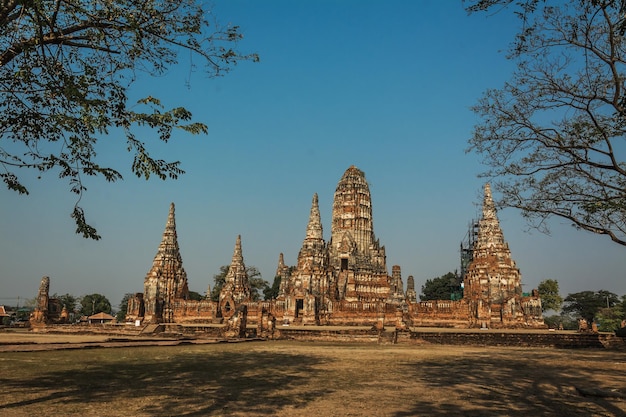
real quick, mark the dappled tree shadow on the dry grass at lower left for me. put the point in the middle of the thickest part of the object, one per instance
(194, 383)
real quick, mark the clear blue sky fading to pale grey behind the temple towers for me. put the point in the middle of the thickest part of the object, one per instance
(386, 86)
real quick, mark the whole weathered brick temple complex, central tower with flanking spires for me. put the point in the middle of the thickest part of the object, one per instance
(345, 281)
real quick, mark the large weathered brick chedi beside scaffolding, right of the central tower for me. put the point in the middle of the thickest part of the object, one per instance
(493, 281)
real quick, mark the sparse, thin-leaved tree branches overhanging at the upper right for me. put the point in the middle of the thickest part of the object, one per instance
(553, 135)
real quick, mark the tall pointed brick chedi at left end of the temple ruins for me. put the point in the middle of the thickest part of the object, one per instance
(167, 279)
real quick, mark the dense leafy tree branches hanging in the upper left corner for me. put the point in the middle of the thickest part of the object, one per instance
(66, 69)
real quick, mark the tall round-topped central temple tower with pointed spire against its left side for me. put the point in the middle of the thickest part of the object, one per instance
(342, 281)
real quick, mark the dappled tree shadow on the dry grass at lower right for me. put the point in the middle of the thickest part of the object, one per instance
(520, 383)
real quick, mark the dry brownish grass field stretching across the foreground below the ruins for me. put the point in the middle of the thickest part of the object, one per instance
(307, 379)
